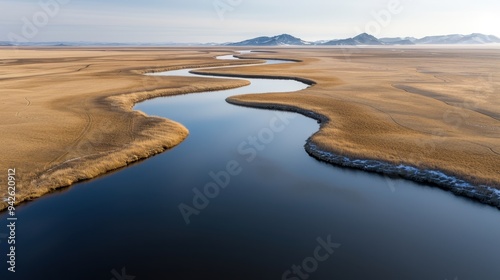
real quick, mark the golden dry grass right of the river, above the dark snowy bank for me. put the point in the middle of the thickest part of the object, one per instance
(429, 108)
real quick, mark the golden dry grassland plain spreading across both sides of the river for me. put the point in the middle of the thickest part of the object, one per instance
(66, 113)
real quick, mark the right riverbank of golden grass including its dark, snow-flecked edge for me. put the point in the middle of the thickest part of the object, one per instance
(455, 151)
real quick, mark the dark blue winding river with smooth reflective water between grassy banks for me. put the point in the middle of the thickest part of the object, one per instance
(241, 199)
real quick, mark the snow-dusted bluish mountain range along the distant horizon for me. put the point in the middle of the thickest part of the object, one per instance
(367, 39)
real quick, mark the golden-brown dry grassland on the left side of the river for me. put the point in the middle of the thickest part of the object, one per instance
(66, 113)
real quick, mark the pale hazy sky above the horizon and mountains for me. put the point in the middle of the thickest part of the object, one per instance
(235, 20)
